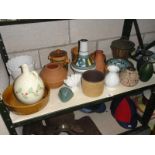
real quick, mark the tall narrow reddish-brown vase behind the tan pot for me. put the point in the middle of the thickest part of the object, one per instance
(100, 60)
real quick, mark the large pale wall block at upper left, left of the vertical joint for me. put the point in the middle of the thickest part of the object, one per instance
(36, 35)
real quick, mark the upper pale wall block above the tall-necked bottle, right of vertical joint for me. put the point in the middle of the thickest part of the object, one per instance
(95, 29)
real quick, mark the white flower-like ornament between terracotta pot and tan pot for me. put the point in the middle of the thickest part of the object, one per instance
(72, 81)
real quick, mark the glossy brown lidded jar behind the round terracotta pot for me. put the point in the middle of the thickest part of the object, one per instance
(59, 56)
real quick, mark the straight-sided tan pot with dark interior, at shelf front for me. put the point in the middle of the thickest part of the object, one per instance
(92, 83)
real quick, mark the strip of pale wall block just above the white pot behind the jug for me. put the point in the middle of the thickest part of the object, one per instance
(33, 53)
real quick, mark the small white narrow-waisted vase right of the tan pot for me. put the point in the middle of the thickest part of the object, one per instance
(112, 77)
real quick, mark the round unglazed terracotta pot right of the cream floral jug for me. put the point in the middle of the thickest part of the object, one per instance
(53, 75)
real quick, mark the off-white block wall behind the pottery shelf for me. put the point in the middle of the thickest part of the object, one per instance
(39, 39)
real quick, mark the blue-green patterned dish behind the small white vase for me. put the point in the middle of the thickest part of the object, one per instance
(121, 63)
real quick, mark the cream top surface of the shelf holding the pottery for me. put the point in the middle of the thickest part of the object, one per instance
(54, 104)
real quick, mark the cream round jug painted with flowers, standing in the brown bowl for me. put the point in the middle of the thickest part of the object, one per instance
(28, 87)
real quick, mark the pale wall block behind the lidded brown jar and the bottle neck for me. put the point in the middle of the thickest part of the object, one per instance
(44, 53)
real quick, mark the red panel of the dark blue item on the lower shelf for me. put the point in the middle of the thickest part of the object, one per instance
(123, 112)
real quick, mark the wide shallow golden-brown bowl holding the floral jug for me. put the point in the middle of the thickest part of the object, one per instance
(20, 108)
